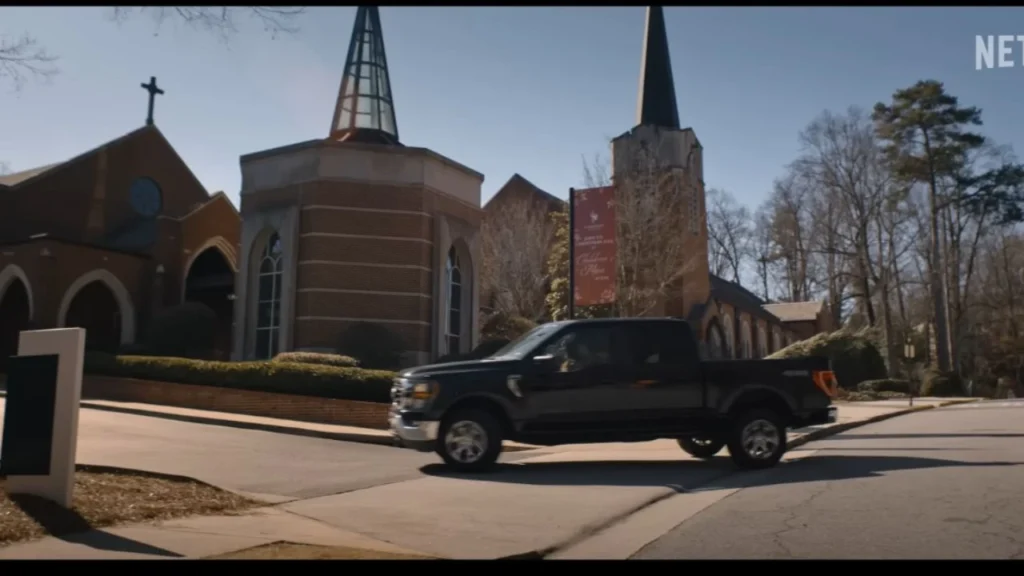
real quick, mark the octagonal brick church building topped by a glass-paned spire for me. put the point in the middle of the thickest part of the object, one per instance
(358, 228)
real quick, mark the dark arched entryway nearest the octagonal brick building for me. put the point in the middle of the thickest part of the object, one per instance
(210, 281)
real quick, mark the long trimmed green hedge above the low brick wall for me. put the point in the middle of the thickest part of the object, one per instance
(281, 378)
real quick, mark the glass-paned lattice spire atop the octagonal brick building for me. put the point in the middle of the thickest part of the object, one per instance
(366, 111)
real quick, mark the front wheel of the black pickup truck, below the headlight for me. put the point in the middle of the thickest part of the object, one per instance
(471, 441)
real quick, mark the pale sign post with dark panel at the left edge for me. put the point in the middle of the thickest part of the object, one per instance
(40, 432)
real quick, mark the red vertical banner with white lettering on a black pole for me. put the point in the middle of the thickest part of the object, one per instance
(594, 238)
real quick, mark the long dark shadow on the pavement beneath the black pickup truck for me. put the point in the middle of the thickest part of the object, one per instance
(680, 475)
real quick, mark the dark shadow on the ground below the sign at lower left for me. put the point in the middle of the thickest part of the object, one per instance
(72, 527)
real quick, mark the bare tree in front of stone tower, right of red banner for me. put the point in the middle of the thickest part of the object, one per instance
(653, 202)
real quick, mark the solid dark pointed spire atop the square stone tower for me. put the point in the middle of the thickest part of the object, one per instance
(657, 102)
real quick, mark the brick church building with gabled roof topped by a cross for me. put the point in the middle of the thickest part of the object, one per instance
(110, 238)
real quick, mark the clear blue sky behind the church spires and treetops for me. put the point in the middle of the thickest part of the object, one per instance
(501, 90)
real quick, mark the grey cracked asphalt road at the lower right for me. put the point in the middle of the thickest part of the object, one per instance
(943, 484)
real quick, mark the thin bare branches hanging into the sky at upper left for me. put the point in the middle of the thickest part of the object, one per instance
(24, 58)
